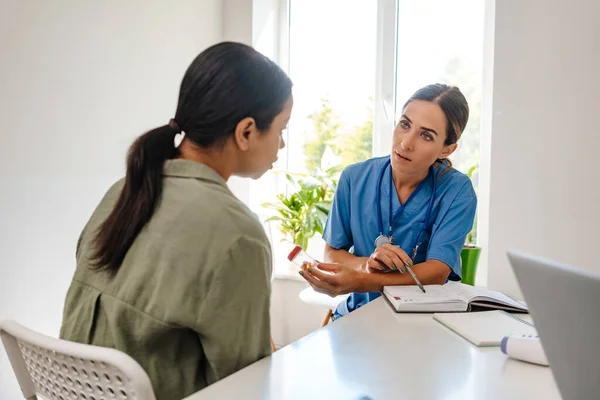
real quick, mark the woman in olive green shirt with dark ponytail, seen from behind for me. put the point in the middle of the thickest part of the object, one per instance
(172, 268)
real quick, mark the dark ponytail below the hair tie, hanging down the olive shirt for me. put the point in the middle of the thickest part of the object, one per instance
(139, 197)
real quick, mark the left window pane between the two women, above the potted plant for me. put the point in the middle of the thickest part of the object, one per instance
(332, 64)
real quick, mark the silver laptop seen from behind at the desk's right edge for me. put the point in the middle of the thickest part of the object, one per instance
(564, 303)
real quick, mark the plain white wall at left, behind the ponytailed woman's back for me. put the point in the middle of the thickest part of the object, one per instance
(79, 81)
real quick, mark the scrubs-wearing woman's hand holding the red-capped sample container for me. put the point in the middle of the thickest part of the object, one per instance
(335, 279)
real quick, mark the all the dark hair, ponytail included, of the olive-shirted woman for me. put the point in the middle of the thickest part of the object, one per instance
(223, 85)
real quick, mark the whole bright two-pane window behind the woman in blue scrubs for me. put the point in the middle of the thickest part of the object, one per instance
(354, 63)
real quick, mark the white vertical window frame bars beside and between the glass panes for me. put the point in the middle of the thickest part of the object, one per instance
(384, 111)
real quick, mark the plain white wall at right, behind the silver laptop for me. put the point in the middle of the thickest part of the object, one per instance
(544, 184)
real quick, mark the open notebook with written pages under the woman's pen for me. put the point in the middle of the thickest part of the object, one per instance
(451, 297)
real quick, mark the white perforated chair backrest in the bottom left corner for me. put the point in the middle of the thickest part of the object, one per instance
(61, 370)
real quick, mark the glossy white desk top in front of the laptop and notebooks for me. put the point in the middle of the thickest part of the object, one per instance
(377, 354)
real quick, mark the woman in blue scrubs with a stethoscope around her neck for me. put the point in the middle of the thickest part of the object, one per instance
(408, 208)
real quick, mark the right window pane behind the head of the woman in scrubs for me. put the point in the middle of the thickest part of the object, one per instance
(442, 41)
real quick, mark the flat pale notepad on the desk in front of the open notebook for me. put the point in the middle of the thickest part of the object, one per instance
(485, 328)
